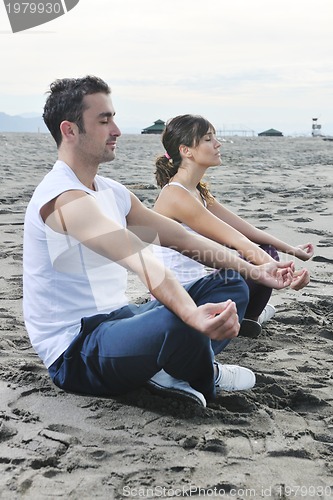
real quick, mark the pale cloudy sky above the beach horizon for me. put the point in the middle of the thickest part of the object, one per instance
(243, 64)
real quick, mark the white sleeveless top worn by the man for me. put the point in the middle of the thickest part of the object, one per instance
(63, 280)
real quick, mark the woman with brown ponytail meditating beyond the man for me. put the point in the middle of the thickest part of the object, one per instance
(191, 148)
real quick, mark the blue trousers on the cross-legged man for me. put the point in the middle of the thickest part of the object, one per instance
(118, 352)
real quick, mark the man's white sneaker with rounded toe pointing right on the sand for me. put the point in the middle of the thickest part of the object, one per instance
(233, 378)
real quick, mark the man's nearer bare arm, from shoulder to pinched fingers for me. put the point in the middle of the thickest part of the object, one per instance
(77, 214)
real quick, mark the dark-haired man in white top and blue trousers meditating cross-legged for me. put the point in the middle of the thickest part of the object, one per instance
(82, 233)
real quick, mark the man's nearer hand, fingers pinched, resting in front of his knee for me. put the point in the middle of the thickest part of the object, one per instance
(216, 321)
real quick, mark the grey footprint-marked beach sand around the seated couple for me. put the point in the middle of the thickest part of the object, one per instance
(255, 444)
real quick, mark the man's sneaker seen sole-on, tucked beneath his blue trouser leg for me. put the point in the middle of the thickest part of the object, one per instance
(163, 382)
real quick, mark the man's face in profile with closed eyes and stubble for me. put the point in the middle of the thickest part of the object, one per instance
(98, 143)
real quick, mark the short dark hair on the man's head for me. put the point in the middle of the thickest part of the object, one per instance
(65, 102)
